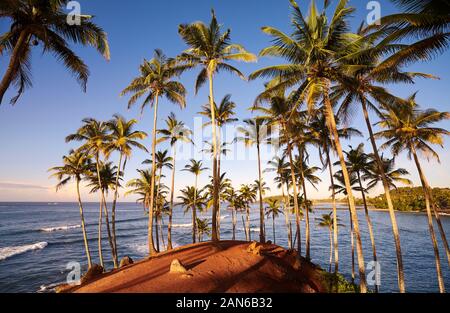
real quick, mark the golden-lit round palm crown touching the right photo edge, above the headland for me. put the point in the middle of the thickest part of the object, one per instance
(407, 127)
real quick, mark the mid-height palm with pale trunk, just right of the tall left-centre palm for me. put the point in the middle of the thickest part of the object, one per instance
(175, 131)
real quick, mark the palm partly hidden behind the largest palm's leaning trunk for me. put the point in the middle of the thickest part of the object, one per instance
(318, 129)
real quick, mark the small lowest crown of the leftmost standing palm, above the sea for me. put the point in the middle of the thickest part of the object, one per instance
(76, 165)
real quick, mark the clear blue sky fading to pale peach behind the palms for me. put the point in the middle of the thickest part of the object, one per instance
(32, 132)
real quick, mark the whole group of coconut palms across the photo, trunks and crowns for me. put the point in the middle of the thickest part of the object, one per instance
(329, 72)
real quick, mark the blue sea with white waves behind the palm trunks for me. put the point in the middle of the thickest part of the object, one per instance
(39, 240)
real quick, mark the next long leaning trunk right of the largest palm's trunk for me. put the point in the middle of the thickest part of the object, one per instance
(398, 249)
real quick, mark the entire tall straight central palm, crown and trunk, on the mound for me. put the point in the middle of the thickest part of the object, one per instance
(211, 50)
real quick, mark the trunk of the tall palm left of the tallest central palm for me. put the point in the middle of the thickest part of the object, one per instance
(151, 246)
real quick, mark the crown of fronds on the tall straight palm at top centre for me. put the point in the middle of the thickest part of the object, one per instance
(211, 49)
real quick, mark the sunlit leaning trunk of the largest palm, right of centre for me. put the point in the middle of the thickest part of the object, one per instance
(354, 216)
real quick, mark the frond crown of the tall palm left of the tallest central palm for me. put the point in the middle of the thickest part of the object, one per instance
(156, 79)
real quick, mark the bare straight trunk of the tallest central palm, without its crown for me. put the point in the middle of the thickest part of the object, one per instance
(214, 233)
